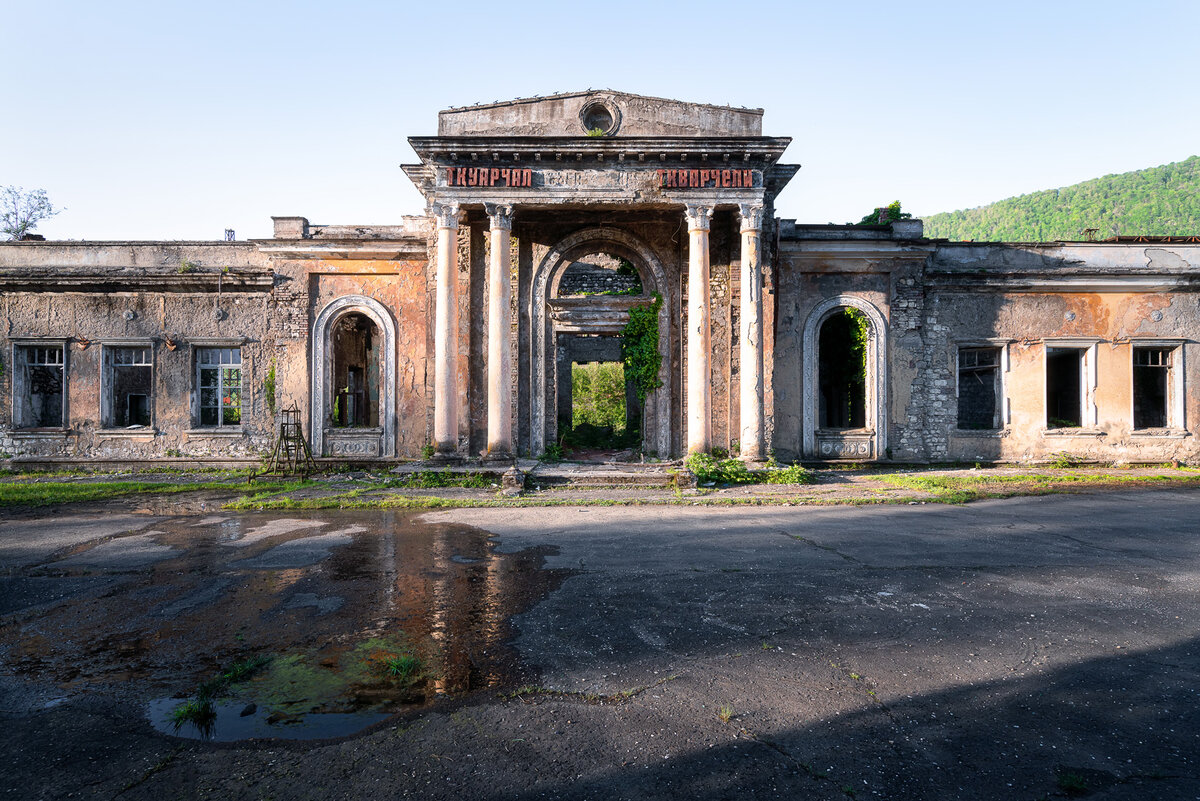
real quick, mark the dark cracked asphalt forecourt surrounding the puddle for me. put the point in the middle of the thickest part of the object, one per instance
(1034, 648)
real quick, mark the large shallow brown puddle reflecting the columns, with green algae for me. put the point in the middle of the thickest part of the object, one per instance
(339, 625)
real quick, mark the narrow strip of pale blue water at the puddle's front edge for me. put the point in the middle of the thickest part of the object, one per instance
(231, 725)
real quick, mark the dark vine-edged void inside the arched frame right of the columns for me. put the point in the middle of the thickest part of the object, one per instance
(842, 369)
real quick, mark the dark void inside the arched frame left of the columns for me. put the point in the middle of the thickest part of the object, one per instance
(355, 346)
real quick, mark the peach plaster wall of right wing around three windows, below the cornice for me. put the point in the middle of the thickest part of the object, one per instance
(1114, 322)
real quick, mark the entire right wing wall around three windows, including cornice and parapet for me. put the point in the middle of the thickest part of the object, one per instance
(1109, 294)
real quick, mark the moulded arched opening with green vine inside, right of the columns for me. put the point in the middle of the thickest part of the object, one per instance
(845, 381)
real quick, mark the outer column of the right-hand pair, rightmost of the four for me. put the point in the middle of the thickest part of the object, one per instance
(752, 334)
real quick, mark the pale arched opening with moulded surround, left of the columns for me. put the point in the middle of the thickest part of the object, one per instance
(355, 380)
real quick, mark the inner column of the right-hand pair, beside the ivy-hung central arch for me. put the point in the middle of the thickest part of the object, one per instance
(700, 395)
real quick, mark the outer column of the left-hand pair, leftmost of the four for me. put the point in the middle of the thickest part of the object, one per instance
(446, 333)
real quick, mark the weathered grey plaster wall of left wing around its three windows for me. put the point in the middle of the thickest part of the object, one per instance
(165, 296)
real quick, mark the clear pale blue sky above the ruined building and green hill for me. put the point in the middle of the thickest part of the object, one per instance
(172, 121)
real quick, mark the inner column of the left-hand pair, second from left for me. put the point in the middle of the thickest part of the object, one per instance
(500, 352)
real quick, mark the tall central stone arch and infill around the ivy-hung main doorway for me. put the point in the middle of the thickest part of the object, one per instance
(583, 292)
